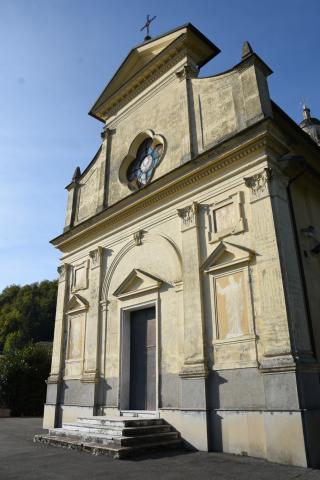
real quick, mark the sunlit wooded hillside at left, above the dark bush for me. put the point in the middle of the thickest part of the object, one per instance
(28, 310)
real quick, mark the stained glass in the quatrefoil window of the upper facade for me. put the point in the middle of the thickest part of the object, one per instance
(143, 166)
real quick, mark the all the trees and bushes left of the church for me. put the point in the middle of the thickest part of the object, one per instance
(26, 318)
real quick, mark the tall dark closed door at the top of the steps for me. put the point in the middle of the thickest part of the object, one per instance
(143, 359)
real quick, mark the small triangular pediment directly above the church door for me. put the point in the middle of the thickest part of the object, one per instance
(137, 282)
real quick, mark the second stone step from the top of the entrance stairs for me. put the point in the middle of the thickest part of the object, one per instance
(116, 430)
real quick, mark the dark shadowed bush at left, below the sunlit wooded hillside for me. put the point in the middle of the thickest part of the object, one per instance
(22, 379)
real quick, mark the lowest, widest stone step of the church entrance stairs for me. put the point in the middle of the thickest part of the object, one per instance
(112, 450)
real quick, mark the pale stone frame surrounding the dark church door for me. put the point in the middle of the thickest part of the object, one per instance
(124, 350)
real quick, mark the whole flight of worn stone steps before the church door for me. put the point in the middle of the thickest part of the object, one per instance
(118, 437)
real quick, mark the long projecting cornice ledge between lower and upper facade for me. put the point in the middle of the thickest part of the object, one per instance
(254, 138)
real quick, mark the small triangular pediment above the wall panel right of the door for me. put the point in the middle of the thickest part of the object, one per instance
(227, 254)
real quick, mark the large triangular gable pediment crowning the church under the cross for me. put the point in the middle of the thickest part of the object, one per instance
(146, 58)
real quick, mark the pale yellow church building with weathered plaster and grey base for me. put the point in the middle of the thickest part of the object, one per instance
(190, 265)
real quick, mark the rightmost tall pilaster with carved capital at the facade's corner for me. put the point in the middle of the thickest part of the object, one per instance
(281, 311)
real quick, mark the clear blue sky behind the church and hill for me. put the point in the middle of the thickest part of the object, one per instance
(56, 57)
